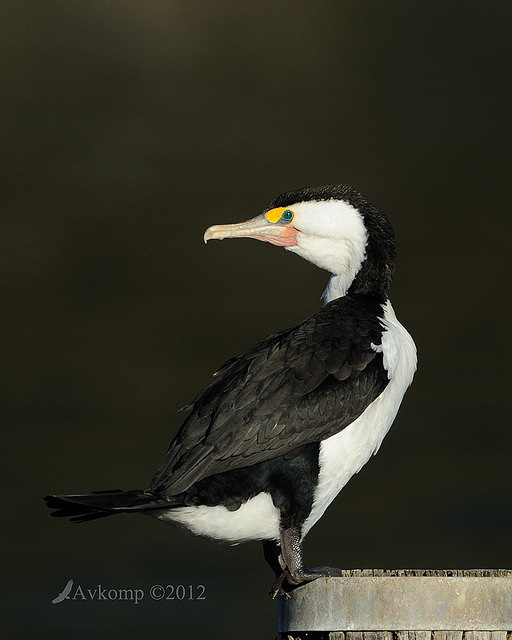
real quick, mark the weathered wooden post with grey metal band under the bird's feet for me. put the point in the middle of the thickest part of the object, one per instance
(406, 604)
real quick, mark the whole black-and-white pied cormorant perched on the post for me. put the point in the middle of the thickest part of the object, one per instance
(279, 431)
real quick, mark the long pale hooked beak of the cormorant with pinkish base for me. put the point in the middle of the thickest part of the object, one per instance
(259, 228)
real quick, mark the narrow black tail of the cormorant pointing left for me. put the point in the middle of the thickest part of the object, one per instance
(99, 504)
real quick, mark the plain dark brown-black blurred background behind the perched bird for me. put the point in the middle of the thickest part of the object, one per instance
(129, 127)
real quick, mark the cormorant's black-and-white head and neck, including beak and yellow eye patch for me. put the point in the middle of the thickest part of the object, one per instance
(334, 227)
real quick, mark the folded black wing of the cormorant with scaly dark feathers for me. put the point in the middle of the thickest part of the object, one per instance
(299, 386)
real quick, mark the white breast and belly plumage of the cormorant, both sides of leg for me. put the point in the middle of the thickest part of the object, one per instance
(341, 456)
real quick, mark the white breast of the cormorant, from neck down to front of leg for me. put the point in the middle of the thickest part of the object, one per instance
(343, 455)
